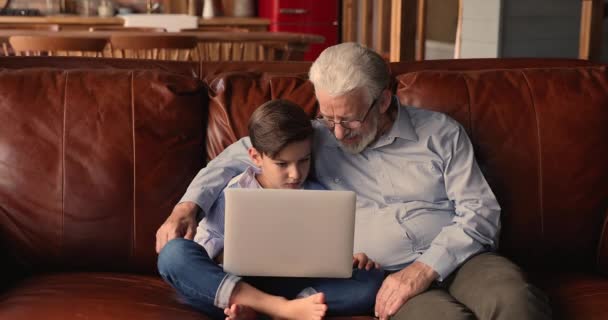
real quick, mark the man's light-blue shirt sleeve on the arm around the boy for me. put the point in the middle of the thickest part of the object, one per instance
(211, 180)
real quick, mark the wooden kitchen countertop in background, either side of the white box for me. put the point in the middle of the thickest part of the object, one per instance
(74, 19)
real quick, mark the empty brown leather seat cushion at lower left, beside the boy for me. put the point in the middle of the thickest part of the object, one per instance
(94, 296)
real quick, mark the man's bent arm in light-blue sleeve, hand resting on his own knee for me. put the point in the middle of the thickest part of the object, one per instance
(475, 229)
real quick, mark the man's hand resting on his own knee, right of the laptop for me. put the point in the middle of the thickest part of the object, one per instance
(400, 286)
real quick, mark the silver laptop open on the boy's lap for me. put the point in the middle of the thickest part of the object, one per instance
(289, 233)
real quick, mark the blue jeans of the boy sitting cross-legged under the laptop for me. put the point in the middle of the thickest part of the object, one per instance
(187, 267)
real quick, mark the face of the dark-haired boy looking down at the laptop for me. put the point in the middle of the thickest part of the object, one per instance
(288, 170)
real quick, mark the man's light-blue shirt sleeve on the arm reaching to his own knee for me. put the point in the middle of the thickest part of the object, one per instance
(476, 223)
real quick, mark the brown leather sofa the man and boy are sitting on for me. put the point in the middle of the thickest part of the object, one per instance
(95, 153)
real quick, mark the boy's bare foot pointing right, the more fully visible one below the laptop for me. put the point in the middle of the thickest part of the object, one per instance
(309, 308)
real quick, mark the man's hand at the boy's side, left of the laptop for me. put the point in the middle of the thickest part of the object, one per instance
(181, 223)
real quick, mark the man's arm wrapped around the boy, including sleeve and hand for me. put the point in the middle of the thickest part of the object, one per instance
(203, 191)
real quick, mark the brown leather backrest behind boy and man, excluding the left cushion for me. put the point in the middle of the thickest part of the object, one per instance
(539, 135)
